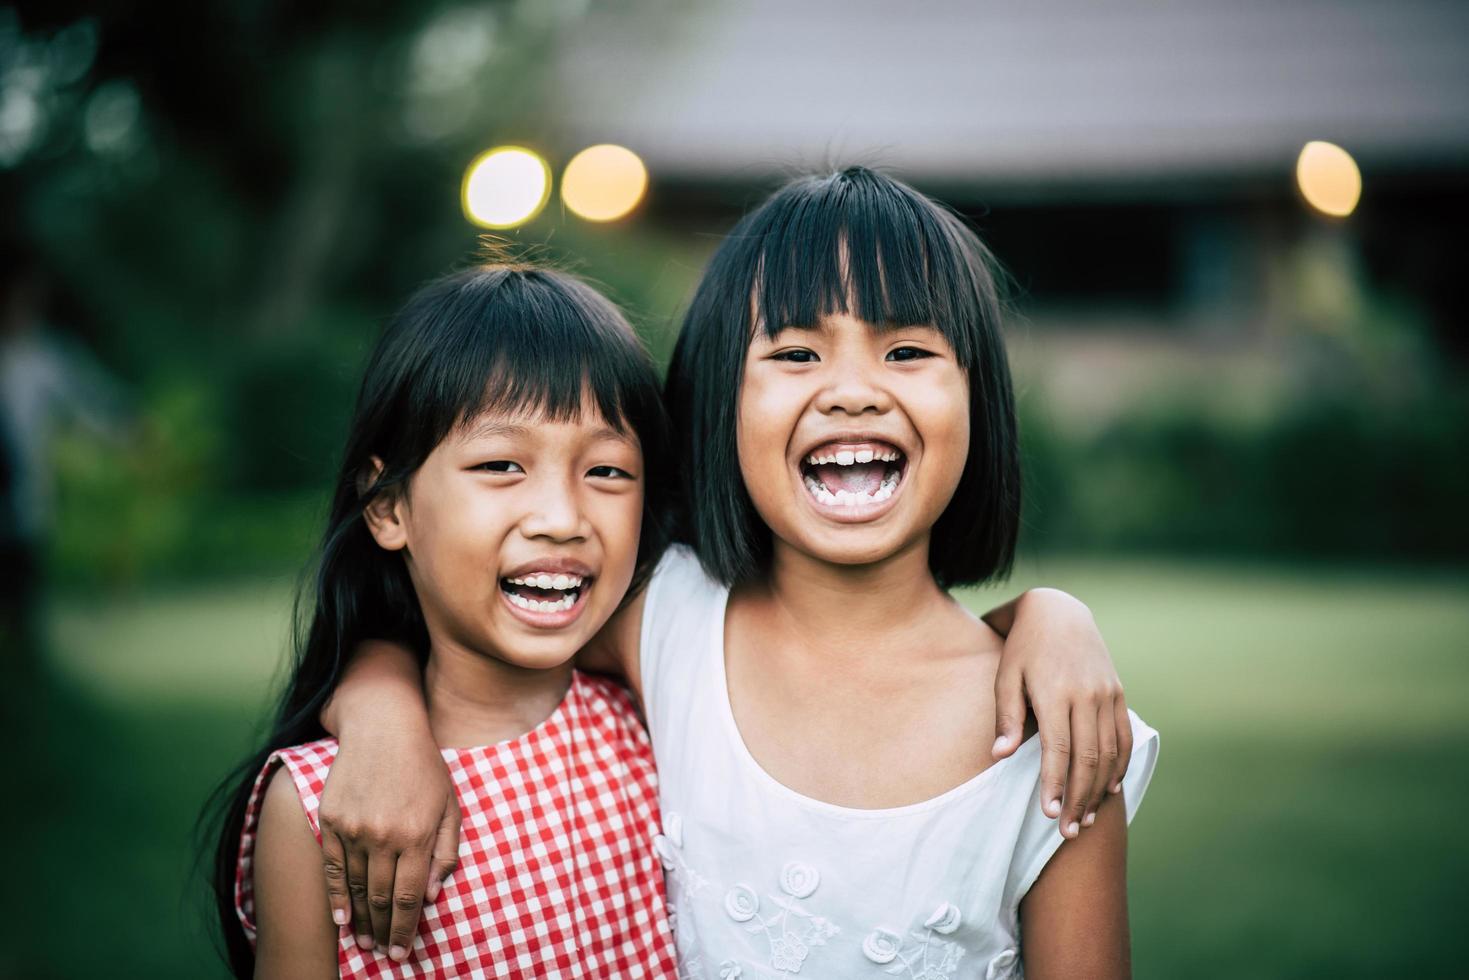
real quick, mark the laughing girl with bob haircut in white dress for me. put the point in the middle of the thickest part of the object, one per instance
(820, 707)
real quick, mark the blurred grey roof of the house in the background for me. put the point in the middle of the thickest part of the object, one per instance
(1028, 93)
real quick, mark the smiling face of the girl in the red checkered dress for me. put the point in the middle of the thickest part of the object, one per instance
(521, 534)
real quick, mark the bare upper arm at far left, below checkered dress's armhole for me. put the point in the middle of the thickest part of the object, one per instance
(293, 918)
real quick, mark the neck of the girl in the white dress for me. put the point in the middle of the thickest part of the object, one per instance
(845, 612)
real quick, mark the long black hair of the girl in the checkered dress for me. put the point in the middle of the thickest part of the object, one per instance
(496, 337)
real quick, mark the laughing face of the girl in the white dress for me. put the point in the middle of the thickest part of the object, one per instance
(853, 440)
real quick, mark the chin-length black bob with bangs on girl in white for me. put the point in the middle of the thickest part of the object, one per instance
(869, 246)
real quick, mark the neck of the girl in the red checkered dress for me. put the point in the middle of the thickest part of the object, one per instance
(477, 699)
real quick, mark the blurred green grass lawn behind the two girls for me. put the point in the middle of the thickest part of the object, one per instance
(1307, 819)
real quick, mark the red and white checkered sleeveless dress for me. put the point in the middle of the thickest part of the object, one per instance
(557, 875)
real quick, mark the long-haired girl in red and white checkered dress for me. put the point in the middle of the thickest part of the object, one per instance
(490, 514)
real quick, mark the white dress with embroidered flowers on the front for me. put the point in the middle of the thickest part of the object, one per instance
(765, 882)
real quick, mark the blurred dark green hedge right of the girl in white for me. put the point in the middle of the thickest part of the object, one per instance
(1324, 478)
